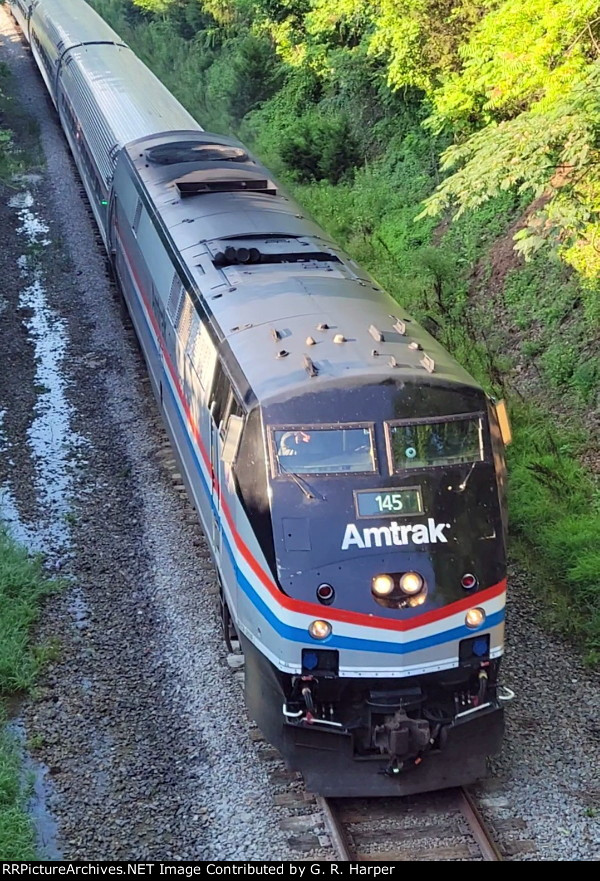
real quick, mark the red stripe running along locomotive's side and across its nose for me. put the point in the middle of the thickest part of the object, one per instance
(312, 609)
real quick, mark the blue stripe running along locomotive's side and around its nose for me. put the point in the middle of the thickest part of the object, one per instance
(295, 634)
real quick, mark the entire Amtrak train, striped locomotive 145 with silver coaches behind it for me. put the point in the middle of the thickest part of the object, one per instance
(348, 473)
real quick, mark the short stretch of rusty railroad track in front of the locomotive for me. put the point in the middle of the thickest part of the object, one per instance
(443, 825)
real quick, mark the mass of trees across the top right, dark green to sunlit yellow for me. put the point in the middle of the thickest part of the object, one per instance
(510, 89)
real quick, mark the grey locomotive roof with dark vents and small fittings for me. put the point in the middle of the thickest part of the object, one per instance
(305, 314)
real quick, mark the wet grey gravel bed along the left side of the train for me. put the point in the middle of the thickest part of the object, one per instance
(141, 722)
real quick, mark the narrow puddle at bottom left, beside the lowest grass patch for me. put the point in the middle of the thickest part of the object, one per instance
(36, 776)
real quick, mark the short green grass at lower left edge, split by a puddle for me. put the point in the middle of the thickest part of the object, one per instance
(22, 588)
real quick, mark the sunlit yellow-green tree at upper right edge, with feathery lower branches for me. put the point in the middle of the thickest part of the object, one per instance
(535, 92)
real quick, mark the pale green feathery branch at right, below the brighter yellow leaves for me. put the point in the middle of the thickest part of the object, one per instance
(550, 151)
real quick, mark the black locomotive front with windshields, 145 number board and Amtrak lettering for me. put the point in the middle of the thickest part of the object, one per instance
(412, 487)
